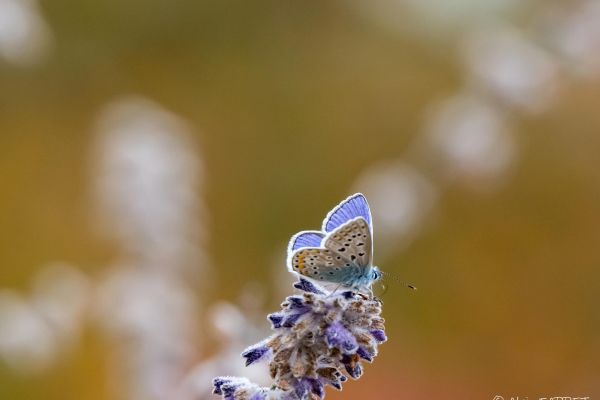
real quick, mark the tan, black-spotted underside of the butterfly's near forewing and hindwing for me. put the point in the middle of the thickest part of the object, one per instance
(346, 254)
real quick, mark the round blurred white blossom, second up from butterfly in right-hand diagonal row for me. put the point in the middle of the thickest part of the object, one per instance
(471, 137)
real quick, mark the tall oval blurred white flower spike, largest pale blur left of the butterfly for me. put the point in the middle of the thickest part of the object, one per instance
(146, 183)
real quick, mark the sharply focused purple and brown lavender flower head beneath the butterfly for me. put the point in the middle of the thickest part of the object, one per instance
(320, 339)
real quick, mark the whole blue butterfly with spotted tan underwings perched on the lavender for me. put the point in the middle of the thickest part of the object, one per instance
(342, 251)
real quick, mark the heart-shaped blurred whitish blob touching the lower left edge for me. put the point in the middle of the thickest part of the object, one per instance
(35, 330)
